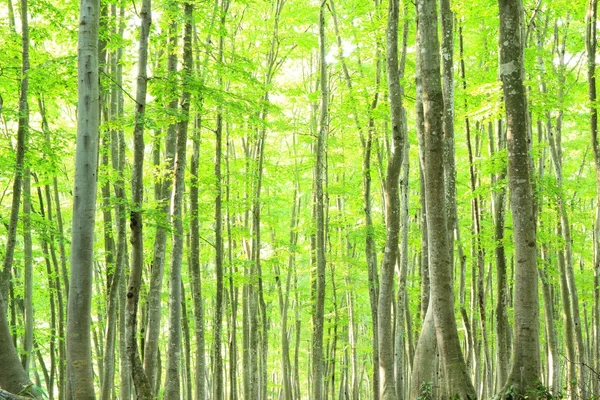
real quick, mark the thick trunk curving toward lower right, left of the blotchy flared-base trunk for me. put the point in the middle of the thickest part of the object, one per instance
(454, 368)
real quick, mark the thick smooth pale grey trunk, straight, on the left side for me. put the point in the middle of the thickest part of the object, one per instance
(80, 378)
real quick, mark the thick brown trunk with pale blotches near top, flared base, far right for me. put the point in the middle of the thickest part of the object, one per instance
(525, 367)
